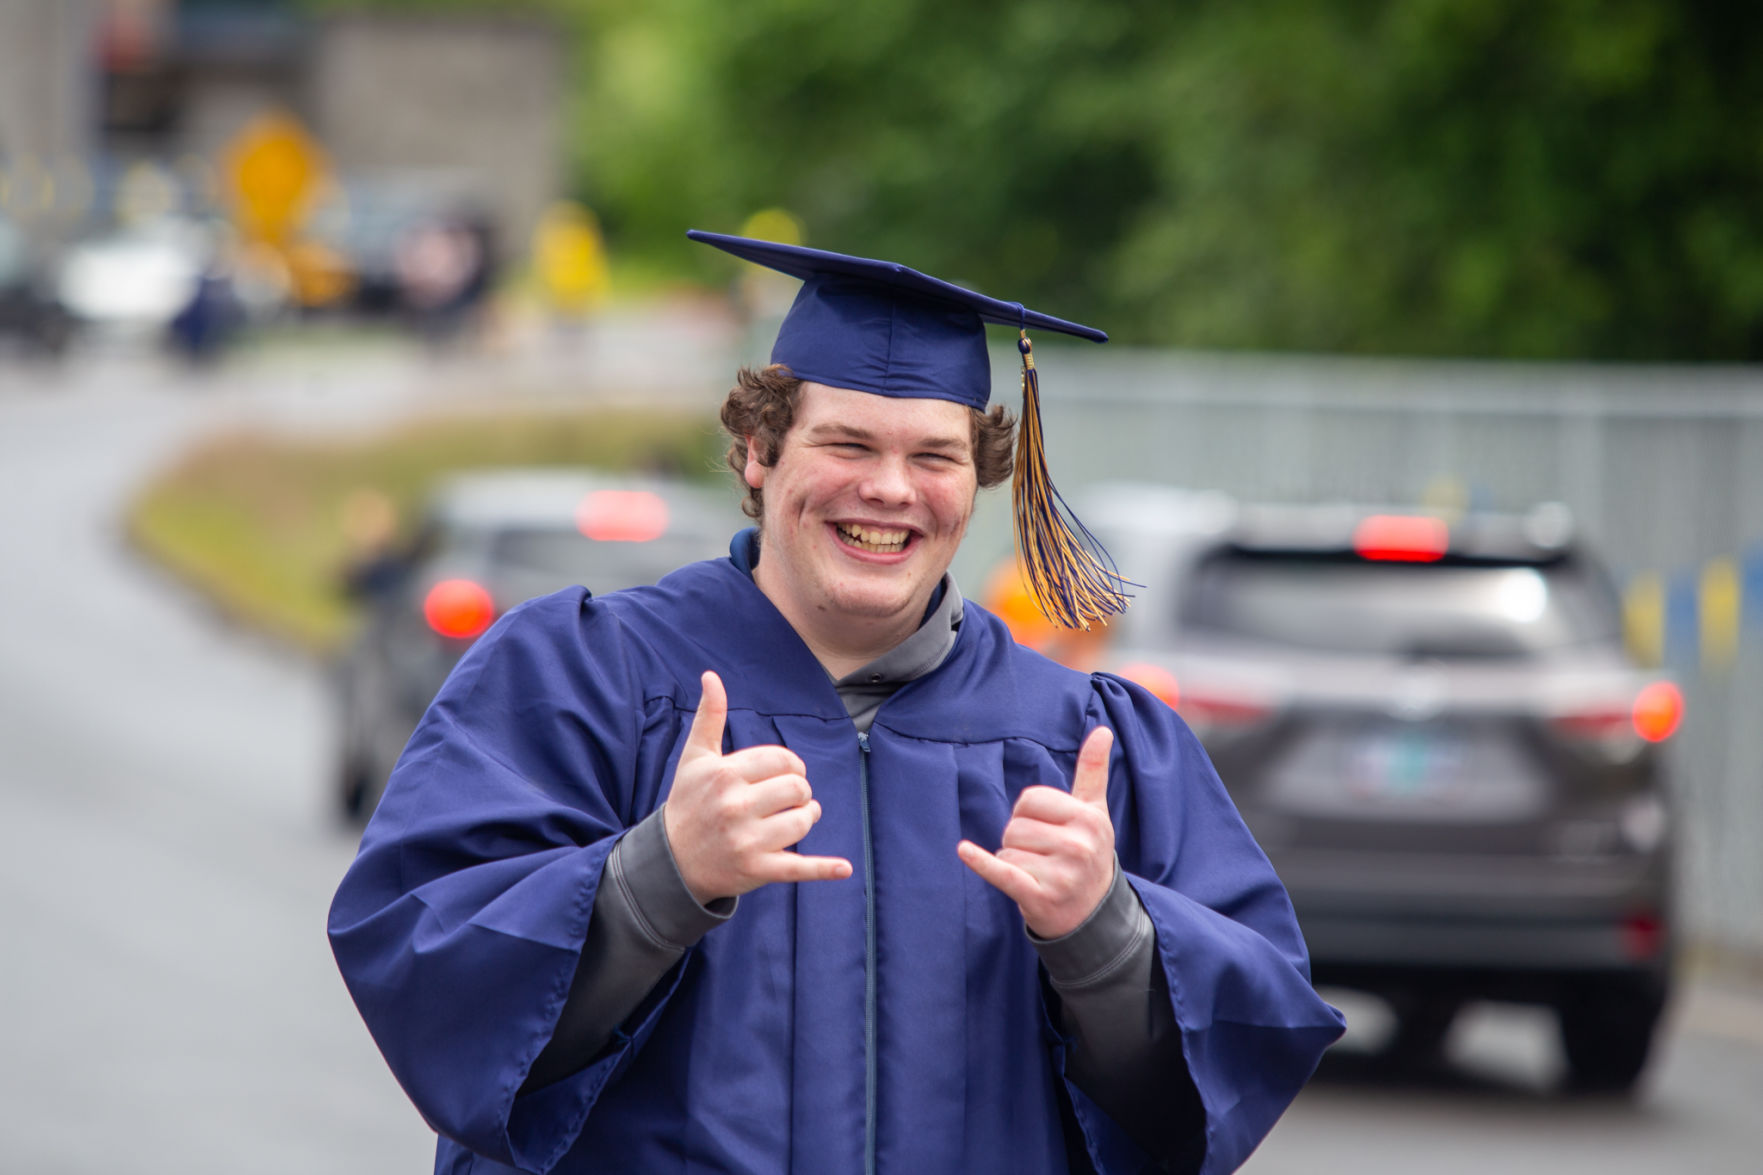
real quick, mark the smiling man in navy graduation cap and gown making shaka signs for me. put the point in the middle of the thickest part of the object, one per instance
(798, 862)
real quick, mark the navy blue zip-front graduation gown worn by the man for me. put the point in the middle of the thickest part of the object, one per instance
(898, 1012)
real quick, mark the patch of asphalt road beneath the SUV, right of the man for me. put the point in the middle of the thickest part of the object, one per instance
(1494, 1104)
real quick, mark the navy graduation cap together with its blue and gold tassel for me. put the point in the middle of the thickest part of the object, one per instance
(891, 331)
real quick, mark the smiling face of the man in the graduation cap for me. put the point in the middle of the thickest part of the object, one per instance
(863, 514)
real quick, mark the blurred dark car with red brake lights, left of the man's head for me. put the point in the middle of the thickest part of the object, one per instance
(487, 543)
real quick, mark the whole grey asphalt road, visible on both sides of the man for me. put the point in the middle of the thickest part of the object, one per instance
(167, 858)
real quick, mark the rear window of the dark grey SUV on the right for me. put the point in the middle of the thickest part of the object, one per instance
(1457, 610)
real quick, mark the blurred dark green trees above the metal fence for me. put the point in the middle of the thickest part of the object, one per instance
(1434, 177)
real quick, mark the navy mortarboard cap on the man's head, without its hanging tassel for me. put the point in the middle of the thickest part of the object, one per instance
(886, 329)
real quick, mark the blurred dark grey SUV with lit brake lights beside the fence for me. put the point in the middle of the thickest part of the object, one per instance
(1438, 737)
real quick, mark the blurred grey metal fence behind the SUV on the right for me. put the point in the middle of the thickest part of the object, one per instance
(1663, 468)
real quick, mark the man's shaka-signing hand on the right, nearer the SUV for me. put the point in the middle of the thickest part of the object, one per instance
(1057, 862)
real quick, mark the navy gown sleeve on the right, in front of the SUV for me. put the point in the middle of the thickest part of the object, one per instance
(1253, 1029)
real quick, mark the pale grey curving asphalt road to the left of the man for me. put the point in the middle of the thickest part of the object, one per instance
(167, 996)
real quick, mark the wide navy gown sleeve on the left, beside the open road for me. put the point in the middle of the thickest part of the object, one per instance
(461, 924)
